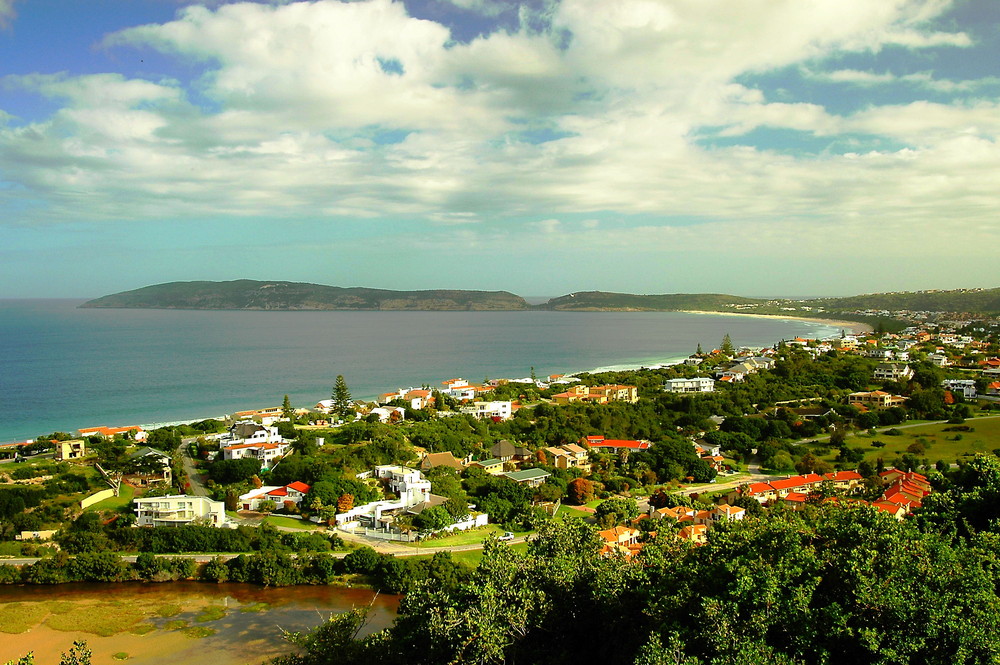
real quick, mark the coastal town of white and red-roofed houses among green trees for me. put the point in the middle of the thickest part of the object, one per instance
(875, 433)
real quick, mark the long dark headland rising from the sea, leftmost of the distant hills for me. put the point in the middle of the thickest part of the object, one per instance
(245, 294)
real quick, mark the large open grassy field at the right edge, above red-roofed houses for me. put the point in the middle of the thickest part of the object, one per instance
(939, 444)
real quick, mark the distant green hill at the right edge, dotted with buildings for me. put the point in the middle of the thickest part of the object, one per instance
(984, 301)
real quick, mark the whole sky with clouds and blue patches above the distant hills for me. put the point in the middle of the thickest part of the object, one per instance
(750, 147)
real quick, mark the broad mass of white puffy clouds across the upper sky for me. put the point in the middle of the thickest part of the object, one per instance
(359, 110)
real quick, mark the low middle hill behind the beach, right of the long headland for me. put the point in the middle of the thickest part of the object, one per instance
(626, 302)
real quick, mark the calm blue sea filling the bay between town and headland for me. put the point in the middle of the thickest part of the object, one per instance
(63, 368)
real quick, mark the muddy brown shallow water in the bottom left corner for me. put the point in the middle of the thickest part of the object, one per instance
(240, 638)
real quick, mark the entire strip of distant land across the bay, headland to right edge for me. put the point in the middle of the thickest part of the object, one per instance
(877, 309)
